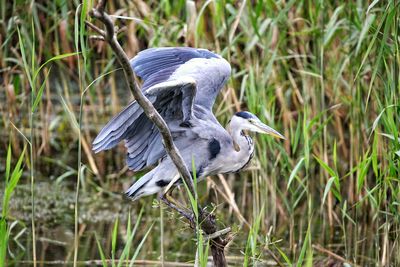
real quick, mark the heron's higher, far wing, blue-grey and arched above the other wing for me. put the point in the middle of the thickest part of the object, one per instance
(209, 70)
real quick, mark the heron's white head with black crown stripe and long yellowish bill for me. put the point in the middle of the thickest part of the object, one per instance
(245, 120)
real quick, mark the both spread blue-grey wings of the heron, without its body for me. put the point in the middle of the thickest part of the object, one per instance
(170, 75)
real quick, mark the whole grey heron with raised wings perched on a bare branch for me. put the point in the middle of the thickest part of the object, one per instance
(182, 83)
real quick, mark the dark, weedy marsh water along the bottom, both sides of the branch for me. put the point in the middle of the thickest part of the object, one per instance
(54, 219)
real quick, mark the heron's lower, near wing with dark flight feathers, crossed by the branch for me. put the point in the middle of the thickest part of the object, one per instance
(172, 99)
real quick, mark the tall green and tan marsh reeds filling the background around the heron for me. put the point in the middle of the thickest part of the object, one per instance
(324, 73)
